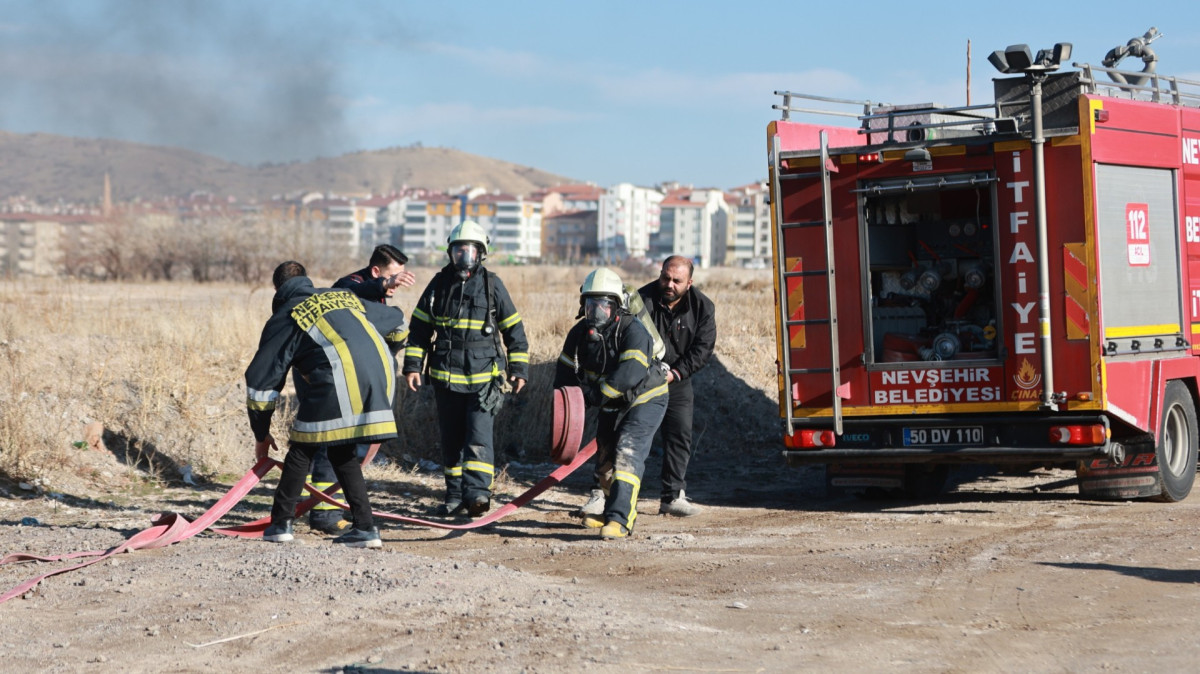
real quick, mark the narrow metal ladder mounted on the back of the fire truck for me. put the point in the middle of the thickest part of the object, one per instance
(784, 274)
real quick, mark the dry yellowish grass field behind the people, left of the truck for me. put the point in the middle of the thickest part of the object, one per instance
(161, 366)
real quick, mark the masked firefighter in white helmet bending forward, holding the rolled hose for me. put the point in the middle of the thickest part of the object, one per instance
(611, 357)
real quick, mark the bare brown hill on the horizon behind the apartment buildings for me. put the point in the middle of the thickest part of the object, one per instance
(56, 167)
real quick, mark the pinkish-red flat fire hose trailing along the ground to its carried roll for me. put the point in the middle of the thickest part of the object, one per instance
(567, 435)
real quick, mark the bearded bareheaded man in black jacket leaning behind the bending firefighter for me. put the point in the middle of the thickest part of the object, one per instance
(687, 321)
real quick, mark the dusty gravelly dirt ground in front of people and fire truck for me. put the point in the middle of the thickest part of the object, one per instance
(1005, 574)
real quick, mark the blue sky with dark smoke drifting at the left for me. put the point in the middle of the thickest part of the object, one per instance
(597, 92)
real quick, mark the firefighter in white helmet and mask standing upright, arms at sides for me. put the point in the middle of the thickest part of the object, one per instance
(458, 327)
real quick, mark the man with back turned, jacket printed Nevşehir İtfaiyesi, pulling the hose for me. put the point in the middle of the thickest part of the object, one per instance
(345, 377)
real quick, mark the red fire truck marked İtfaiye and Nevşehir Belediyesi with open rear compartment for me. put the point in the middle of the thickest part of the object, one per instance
(1013, 284)
